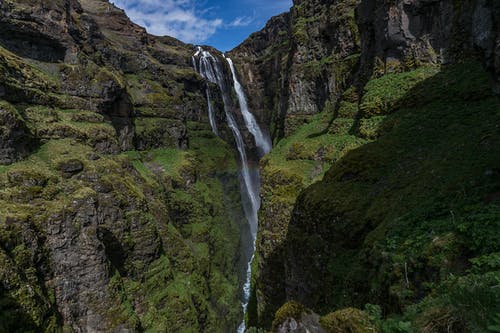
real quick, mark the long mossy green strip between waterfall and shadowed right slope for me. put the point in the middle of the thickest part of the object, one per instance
(295, 163)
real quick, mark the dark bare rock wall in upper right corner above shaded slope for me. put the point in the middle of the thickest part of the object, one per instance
(405, 34)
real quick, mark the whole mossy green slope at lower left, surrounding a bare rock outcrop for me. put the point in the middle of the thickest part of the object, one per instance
(172, 251)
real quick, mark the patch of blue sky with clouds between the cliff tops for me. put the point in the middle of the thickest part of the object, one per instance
(219, 23)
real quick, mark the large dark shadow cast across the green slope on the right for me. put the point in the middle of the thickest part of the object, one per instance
(435, 153)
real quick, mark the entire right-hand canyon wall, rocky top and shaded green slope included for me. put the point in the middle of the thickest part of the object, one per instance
(357, 88)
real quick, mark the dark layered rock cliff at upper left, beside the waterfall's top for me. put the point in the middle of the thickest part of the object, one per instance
(92, 57)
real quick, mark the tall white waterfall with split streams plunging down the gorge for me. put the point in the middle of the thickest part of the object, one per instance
(211, 69)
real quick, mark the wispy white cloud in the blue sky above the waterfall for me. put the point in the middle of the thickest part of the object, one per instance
(181, 19)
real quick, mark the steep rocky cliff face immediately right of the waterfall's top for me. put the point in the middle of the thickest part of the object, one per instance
(299, 62)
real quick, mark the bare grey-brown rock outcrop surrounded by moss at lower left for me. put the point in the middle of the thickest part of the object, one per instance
(86, 241)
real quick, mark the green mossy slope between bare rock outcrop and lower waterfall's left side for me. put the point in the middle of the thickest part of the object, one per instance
(200, 245)
